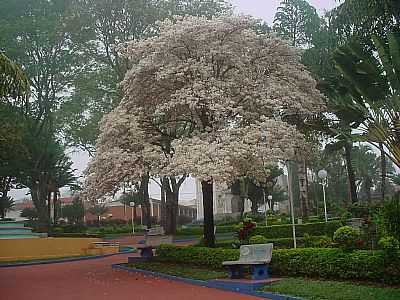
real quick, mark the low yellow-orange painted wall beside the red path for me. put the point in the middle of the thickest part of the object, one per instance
(41, 248)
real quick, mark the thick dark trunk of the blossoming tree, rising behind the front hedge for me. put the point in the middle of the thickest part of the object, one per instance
(209, 236)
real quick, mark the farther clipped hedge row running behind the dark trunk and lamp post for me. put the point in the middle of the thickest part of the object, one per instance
(274, 231)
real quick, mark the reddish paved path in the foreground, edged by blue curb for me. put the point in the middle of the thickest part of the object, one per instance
(95, 280)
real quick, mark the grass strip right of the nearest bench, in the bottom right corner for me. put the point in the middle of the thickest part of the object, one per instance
(330, 290)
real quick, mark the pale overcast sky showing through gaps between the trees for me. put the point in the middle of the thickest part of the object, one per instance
(263, 9)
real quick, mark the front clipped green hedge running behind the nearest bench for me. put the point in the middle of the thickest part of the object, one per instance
(309, 262)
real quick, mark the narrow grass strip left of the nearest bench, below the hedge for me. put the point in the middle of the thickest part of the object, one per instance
(185, 271)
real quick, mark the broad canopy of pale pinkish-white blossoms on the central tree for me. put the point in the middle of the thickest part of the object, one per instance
(208, 98)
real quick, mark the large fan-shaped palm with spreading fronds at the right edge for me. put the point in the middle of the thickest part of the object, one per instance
(374, 82)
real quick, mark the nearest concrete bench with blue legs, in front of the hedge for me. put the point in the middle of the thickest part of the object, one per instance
(256, 256)
